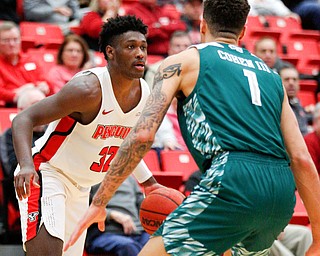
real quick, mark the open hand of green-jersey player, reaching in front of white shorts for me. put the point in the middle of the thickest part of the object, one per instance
(93, 214)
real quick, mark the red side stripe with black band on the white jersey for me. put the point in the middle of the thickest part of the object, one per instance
(57, 137)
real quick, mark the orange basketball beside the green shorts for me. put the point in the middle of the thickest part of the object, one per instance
(157, 206)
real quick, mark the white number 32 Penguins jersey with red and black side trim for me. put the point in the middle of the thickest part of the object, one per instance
(84, 152)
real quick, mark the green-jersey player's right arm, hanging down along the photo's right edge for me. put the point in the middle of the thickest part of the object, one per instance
(304, 171)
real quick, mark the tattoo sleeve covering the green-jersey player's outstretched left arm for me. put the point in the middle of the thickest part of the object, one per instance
(138, 141)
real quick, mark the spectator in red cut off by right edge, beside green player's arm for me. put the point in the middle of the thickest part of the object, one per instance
(313, 138)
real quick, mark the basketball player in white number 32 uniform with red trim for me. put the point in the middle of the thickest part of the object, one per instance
(89, 119)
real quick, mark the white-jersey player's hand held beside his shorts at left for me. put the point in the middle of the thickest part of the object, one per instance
(23, 182)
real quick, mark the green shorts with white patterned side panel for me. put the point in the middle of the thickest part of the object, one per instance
(243, 202)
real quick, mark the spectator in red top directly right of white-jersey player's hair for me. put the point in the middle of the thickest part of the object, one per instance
(161, 24)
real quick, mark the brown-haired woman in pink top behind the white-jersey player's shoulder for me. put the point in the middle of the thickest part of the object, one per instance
(72, 57)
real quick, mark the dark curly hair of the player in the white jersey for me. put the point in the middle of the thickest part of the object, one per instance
(117, 26)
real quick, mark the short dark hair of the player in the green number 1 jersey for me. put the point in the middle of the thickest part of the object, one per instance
(226, 15)
